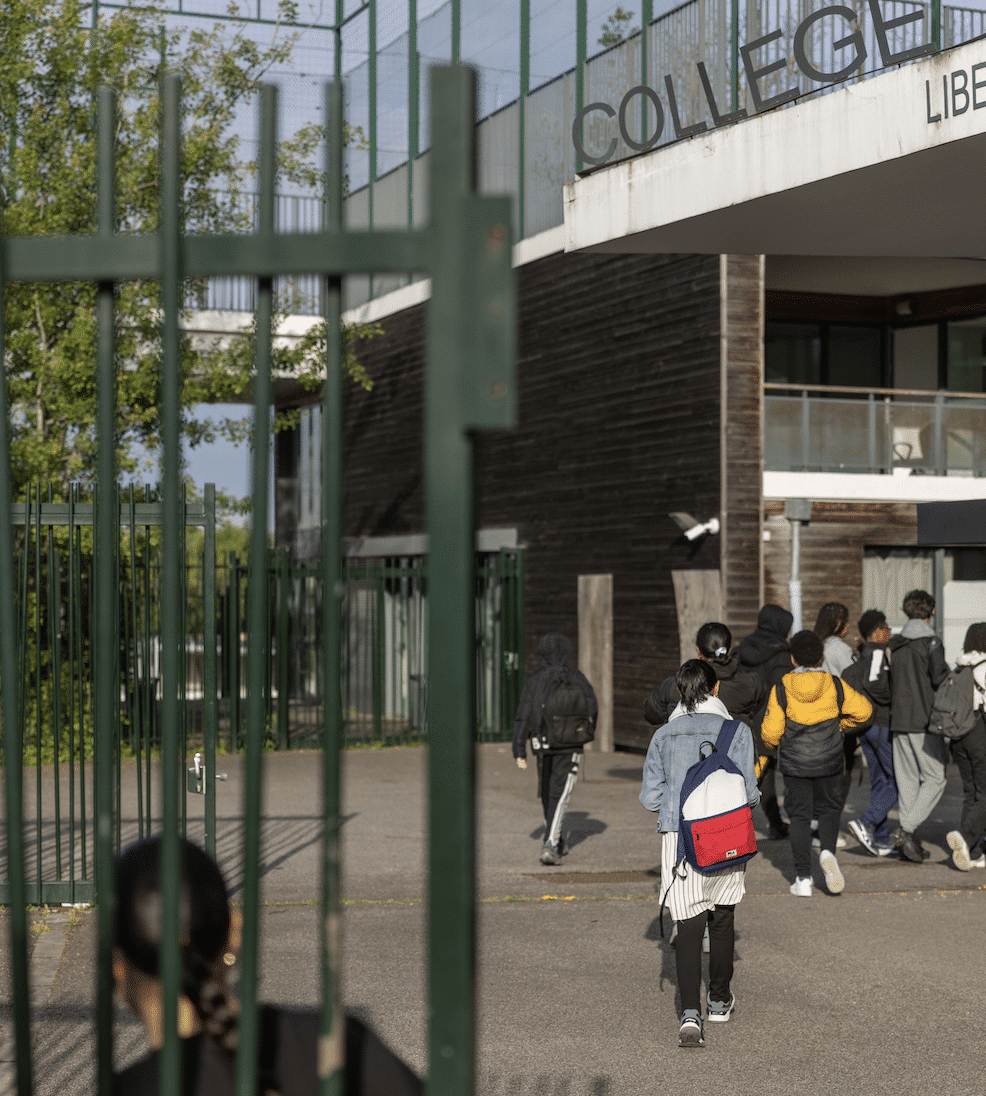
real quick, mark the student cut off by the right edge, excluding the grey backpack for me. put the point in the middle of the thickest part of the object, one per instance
(970, 755)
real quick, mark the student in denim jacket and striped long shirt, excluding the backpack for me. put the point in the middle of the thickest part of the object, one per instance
(694, 899)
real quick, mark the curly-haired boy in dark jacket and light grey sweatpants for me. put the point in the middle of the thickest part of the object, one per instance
(919, 664)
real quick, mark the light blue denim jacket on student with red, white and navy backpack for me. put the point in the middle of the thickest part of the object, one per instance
(675, 749)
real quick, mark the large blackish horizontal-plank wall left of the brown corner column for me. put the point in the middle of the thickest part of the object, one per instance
(618, 425)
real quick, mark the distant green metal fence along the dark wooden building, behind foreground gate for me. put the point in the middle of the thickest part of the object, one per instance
(384, 672)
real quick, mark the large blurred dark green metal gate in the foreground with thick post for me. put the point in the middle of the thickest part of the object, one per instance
(469, 384)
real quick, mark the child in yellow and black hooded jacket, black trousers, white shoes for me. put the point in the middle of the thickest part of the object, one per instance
(807, 714)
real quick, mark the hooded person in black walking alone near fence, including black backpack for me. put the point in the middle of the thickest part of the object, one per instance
(558, 713)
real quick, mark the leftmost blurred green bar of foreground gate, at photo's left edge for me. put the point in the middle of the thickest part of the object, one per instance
(14, 749)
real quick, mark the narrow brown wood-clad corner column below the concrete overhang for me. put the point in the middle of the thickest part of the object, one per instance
(742, 333)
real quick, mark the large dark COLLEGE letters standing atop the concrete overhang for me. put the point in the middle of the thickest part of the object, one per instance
(853, 40)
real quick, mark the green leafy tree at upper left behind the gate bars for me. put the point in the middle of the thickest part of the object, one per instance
(54, 63)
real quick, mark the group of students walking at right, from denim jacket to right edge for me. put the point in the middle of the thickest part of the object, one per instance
(807, 704)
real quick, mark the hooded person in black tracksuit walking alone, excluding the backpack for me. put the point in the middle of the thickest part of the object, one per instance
(558, 770)
